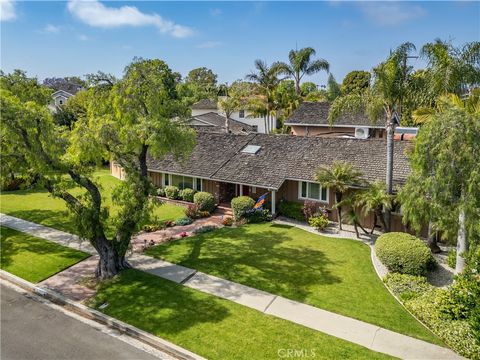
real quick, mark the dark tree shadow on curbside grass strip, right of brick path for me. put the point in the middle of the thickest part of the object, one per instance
(157, 305)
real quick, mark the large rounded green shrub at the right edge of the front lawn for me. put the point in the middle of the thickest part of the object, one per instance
(404, 253)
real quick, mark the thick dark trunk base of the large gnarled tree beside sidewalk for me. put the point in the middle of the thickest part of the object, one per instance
(111, 262)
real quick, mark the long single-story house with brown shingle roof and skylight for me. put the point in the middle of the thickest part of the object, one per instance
(229, 165)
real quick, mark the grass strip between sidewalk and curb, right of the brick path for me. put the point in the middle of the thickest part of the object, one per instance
(213, 327)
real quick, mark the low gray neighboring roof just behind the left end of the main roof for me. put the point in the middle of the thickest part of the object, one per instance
(213, 122)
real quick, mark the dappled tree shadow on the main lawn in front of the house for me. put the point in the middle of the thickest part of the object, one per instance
(260, 260)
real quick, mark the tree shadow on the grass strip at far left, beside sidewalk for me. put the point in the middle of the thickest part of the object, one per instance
(14, 243)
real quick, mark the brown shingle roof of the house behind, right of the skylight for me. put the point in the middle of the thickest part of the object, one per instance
(316, 114)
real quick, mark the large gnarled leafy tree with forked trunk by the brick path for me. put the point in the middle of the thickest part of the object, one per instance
(124, 122)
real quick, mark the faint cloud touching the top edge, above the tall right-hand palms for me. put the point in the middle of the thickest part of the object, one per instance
(391, 13)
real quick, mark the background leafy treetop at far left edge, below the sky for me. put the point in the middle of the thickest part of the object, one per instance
(25, 88)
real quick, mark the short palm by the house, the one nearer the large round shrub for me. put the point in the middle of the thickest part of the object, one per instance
(373, 200)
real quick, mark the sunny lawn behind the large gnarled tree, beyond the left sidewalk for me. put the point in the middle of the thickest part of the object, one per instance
(40, 207)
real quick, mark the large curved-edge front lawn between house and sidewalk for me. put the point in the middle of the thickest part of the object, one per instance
(329, 273)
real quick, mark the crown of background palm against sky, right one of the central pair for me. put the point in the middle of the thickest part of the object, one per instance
(300, 64)
